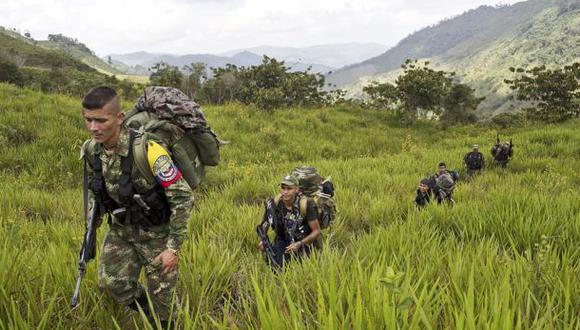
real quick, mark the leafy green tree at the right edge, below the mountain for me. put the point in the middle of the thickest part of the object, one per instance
(555, 94)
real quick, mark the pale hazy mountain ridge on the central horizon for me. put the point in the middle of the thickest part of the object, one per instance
(328, 56)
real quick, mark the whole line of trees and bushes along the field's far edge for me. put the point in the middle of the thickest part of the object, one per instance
(552, 95)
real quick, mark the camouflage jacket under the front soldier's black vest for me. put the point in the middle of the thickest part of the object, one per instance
(179, 194)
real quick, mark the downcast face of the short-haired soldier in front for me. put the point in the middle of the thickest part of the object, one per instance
(105, 123)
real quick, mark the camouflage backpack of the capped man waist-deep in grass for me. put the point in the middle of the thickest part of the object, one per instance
(321, 190)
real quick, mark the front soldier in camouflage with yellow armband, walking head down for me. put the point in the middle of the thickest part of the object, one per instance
(147, 220)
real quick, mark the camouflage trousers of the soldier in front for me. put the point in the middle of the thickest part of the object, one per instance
(126, 251)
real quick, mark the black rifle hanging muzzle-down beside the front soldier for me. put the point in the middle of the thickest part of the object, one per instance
(89, 247)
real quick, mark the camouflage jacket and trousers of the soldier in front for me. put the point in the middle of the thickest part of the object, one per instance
(128, 248)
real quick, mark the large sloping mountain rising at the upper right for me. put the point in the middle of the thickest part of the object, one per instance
(480, 46)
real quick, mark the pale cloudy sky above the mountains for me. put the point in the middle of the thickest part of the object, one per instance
(213, 26)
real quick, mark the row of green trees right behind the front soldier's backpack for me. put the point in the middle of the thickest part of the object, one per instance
(269, 85)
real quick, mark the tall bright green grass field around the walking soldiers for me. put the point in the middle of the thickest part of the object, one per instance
(507, 256)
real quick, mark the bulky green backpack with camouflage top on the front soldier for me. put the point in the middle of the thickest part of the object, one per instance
(169, 115)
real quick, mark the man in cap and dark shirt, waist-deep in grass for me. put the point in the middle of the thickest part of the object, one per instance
(294, 220)
